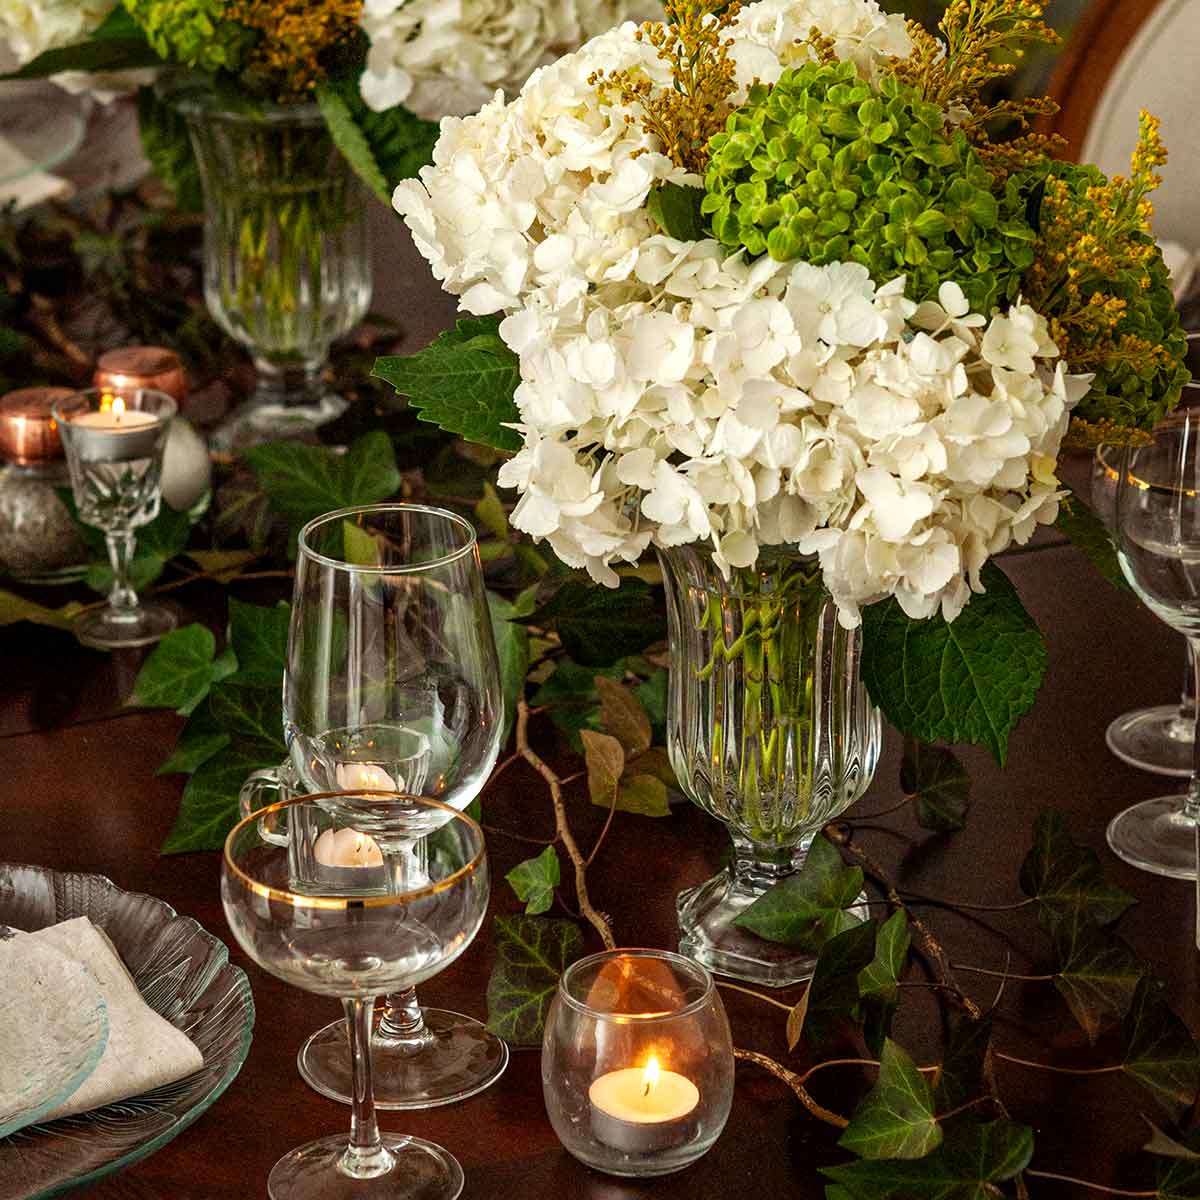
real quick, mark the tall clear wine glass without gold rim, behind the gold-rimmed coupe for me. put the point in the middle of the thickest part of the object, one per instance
(393, 683)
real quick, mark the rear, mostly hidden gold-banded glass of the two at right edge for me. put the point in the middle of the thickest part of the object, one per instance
(1157, 739)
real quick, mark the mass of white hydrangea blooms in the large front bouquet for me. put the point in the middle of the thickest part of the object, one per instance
(673, 393)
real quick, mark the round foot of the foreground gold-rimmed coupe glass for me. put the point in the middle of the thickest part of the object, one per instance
(421, 1171)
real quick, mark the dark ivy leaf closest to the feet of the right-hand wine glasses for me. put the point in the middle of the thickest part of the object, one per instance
(1067, 879)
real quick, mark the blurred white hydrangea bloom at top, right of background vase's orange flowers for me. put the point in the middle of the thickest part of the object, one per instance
(447, 57)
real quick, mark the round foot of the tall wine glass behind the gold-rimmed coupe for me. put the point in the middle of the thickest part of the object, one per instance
(459, 1059)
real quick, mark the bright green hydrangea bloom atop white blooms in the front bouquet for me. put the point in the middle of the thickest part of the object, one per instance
(825, 169)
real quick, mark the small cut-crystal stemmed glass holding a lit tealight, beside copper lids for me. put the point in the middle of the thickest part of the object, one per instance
(115, 441)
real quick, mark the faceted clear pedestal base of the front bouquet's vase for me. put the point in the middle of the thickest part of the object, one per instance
(709, 934)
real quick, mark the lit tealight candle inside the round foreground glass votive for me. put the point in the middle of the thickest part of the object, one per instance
(643, 1109)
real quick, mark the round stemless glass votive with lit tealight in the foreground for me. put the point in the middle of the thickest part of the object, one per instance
(638, 1063)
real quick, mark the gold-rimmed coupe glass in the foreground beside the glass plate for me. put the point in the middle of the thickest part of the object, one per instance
(333, 937)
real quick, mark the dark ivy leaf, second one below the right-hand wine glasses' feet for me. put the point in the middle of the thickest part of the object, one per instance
(1099, 975)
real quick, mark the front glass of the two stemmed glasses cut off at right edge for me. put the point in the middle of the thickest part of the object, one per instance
(1159, 547)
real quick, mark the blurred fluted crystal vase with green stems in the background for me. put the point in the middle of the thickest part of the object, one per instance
(286, 260)
